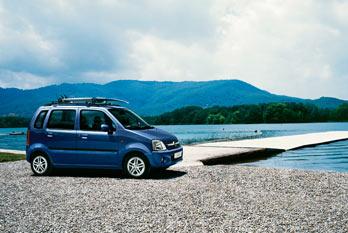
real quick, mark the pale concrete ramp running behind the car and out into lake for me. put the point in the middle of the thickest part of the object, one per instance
(250, 149)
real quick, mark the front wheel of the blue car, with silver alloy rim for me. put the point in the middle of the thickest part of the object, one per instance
(136, 166)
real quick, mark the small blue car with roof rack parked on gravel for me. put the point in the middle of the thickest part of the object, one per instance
(97, 133)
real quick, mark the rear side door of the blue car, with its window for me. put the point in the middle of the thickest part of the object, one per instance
(61, 136)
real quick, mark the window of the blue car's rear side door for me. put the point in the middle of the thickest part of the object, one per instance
(62, 119)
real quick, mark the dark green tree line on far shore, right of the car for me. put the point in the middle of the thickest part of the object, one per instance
(247, 114)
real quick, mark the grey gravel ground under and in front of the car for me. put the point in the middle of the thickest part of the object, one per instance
(194, 199)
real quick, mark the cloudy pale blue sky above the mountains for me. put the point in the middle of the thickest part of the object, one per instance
(291, 47)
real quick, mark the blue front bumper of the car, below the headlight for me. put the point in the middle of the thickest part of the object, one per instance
(165, 158)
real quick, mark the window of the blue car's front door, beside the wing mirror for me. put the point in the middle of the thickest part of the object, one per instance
(92, 120)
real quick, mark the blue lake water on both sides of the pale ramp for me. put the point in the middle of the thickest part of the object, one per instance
(333, 157)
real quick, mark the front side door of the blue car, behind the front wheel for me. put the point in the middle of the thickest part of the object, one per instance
(98, 148)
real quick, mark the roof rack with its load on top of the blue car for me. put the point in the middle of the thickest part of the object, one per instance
(89, 101)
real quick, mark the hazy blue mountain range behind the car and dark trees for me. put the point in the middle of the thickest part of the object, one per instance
(151, 98)
